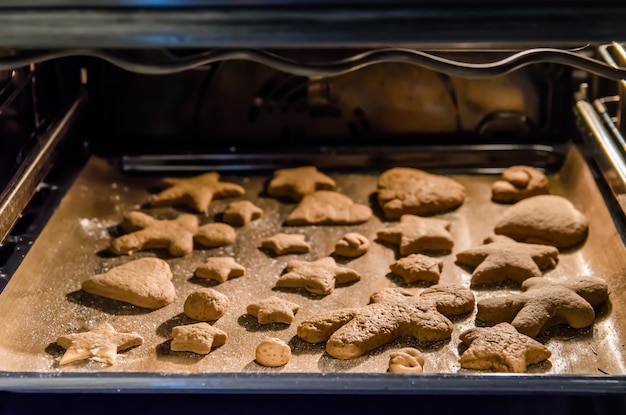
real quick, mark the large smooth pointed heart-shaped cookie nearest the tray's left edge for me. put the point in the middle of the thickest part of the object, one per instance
(144, 282)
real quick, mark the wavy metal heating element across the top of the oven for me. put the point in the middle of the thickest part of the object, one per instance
(172, 64)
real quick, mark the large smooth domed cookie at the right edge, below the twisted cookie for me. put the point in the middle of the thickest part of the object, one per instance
(545, 219)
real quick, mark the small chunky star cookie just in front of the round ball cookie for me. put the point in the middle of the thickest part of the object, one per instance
(197, 338)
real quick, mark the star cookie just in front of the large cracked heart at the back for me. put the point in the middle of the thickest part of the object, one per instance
(415, 234)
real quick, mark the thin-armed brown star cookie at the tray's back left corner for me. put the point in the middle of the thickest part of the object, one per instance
(195, 192)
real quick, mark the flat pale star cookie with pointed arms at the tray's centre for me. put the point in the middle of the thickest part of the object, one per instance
(318, 277)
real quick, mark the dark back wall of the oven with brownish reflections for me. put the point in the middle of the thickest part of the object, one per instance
(246, 104)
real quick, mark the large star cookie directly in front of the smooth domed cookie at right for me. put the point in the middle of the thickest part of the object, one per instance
(502, 258)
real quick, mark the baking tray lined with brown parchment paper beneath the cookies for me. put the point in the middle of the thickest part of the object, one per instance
(43, 298)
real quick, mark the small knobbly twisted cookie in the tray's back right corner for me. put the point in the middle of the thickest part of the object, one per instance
(519, 182)
